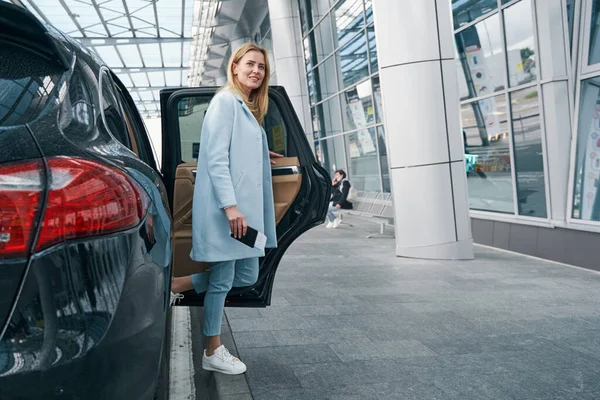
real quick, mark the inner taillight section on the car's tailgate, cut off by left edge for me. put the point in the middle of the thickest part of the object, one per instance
(20, 192)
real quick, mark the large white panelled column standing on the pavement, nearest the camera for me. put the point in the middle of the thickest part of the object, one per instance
(421, 107)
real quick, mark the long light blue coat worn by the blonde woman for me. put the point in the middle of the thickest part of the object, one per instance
(233, 169)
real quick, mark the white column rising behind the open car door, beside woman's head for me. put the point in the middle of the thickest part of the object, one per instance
(288, 57)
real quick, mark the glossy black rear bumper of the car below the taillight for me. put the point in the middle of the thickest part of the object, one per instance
(89, 323)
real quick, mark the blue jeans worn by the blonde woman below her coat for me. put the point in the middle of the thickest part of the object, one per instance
(217, 282)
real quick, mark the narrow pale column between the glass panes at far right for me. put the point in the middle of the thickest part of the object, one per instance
(553, 59)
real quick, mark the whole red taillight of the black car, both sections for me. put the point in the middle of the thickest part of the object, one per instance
(85, 198)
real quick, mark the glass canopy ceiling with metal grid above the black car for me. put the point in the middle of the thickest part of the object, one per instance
(149, 44)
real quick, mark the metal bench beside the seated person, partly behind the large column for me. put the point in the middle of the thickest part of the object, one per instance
(373, 206)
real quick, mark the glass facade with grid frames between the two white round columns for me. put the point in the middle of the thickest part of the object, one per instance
(343, 84)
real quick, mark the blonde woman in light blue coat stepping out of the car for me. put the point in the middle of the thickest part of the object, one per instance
(233, 191)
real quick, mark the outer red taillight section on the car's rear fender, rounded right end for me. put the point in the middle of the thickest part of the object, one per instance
(86, 198)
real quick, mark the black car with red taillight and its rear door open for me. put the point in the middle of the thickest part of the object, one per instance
(89, 223)
